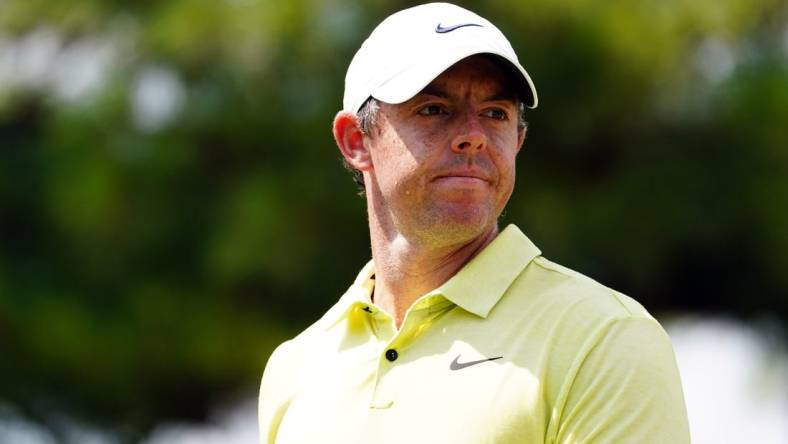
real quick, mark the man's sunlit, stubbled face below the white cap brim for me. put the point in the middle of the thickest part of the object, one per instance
(443, 163)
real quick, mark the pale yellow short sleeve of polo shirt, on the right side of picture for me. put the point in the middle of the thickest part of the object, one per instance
(627, 389)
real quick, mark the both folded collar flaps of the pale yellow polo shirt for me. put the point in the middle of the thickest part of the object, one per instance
(476, 288)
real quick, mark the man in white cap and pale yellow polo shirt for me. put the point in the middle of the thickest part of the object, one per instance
(455, 332)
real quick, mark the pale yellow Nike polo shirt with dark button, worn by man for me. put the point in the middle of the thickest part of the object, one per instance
(512, 349)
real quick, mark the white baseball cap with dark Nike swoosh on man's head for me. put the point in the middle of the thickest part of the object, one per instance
(412, 47)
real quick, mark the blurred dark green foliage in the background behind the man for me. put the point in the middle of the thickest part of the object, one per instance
(165, 223)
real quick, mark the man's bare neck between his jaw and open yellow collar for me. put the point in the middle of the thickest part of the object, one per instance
(406, 269)
